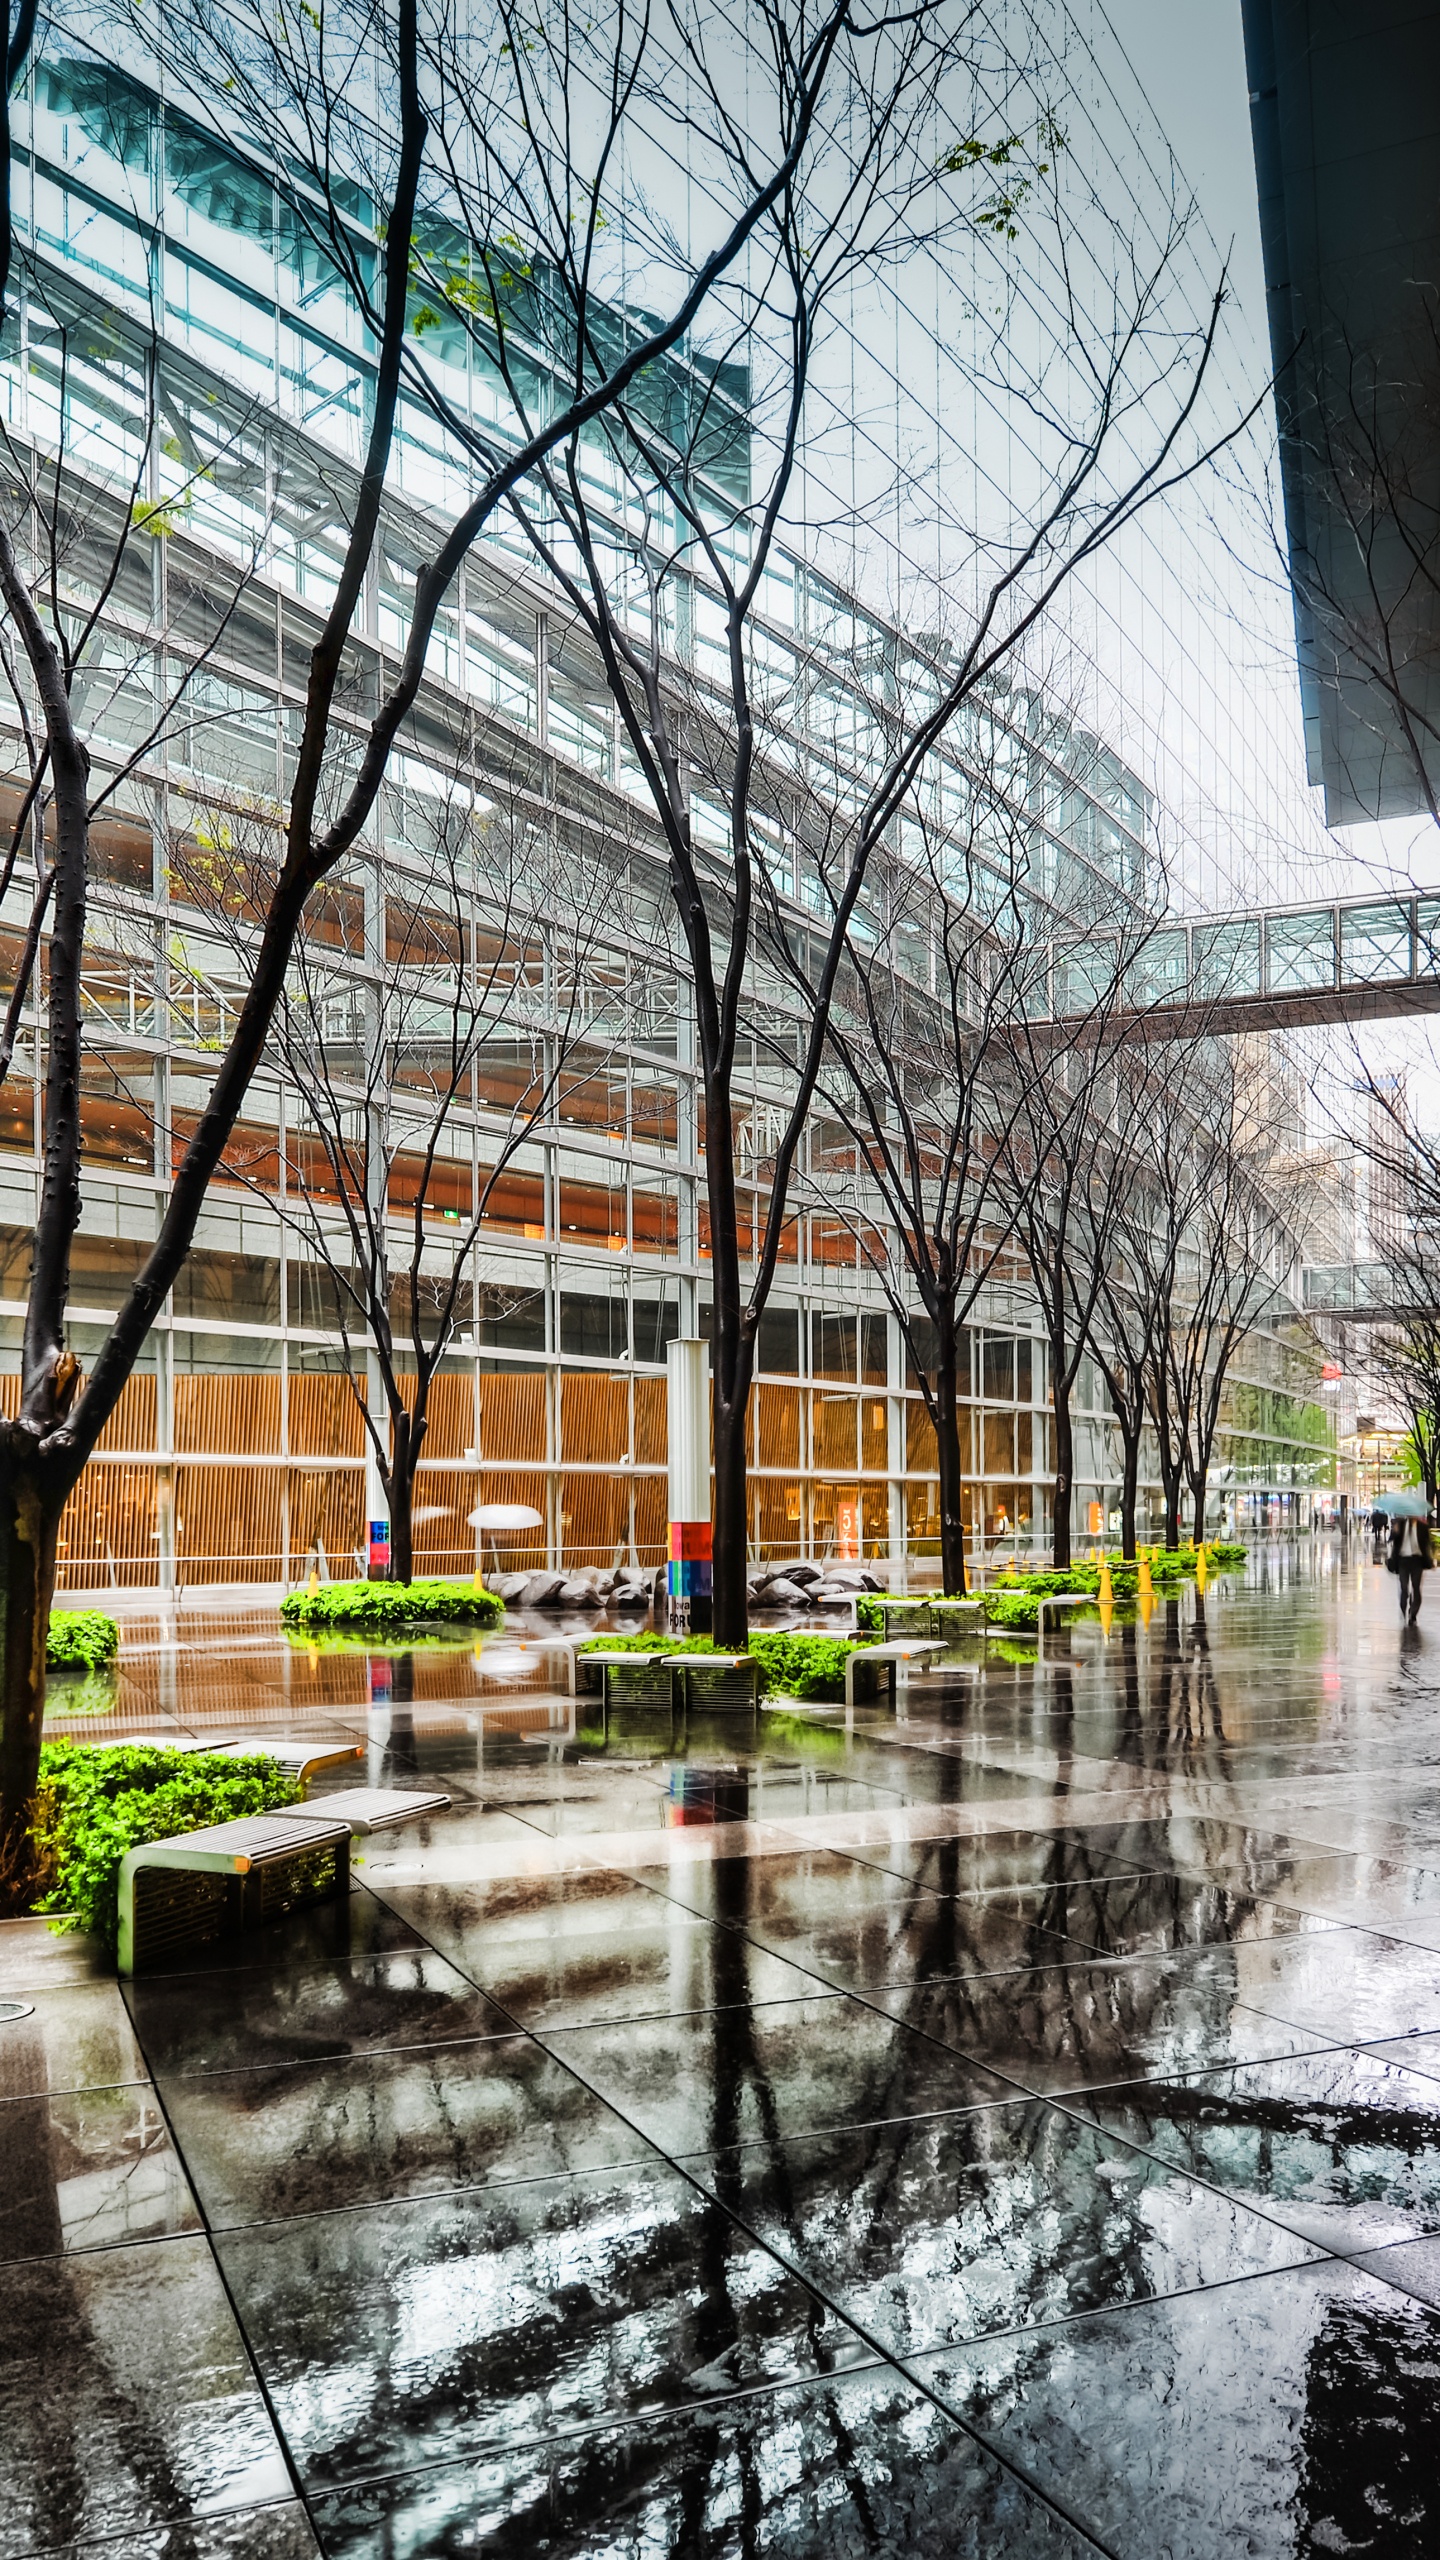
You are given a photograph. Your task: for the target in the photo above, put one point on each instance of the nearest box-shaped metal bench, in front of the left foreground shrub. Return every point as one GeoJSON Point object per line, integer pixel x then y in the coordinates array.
{"type": "Point", "coordinates": [211, 1883]}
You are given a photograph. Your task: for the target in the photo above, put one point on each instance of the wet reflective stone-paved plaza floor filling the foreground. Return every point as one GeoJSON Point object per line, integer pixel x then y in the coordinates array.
{"type": "Point", "coordinates": [1001, 2131]}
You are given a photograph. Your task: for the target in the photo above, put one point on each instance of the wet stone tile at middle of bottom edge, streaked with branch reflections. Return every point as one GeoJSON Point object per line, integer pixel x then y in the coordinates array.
{"type": "Point", "coordinates": [831, 2472]}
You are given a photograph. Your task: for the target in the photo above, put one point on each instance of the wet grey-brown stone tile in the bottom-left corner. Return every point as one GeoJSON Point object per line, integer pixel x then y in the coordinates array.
{"type": "Point", "coordinates": [127, 2397]}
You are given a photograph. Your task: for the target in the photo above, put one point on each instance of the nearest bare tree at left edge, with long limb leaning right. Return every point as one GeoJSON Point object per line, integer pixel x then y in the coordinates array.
{"type": "Point", "coordinates": [286, 76]}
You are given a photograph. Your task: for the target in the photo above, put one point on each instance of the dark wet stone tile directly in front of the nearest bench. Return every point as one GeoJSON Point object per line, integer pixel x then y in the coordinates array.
{"type": "Point", "coordinates": [240, 2021]}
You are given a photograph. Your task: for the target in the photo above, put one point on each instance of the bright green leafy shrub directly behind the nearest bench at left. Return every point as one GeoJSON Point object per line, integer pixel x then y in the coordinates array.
{"type": "Point", "coordinates": [99, 1804]}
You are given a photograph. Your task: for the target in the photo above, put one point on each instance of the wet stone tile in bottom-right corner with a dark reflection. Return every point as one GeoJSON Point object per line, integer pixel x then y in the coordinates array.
{"type": "Point", "coordinates": [1290, 2418]}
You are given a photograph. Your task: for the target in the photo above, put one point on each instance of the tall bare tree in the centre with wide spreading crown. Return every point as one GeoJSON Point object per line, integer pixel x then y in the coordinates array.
{"type": "Point", "coordinates": [665, 547]}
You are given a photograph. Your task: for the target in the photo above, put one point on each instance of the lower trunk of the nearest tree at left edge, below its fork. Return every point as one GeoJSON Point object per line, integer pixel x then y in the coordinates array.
{"type": "Point", "coordinates": [29, 1537]}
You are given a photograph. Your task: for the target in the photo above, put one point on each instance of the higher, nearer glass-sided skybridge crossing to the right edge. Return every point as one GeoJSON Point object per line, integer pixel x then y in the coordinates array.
{"type": "Point", "coordinates": [1270, 969]}
